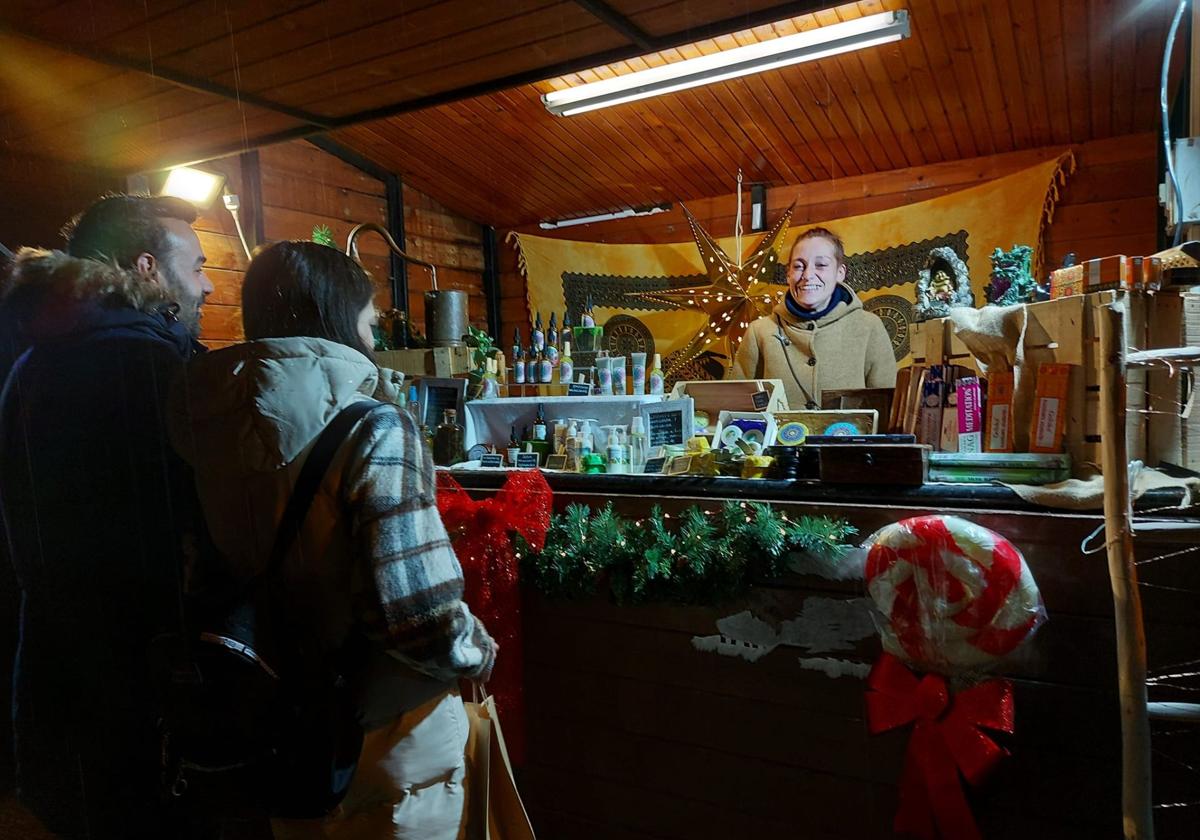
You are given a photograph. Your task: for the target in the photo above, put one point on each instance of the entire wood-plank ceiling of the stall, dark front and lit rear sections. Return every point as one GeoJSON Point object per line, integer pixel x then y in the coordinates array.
{"type": "Point", "coordinates": [134, 87]}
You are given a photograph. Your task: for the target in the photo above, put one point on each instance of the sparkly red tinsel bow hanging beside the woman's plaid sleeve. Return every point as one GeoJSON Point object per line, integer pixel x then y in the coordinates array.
{"type": "Point", "coordinates": [482, 533]}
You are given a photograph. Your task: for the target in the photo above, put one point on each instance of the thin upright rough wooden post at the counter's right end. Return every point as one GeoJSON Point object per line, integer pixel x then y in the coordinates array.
{"type": "Point", "coordinates": [1136, 781]}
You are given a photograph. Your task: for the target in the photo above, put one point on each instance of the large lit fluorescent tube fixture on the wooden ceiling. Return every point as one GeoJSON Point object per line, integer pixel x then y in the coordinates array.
{"type": "Point", "coordinates": [817, 44]}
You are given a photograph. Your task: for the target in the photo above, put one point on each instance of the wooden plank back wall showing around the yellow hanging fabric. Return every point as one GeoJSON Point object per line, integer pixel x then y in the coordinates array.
{"type": "Point", "coordinates": [1108, 207]}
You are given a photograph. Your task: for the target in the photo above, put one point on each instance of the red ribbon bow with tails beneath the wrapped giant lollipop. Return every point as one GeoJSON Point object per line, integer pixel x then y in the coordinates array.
{"type": "Point", "coordinates": [946, 740]}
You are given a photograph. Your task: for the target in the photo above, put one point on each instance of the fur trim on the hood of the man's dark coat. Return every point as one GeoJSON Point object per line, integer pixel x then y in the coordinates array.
{"type": "Point", "coordinates": [55, 275]}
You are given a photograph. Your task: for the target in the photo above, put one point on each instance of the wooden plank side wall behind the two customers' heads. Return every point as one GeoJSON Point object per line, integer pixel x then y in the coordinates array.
{"type": "Point", "coordinates": [304, 187]}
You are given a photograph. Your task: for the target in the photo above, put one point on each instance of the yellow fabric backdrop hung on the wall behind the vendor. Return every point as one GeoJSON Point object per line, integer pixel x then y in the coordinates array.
{"type": "Point", "coordinates": [1004, 213]}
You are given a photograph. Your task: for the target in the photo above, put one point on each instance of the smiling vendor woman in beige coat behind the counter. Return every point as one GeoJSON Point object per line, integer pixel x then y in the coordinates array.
{"type": "Point", "coordinates": [820, 338]}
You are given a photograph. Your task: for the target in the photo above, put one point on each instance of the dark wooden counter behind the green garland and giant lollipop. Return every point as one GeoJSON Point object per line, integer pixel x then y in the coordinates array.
{"type": "Point", "coordinates": [634, 734]}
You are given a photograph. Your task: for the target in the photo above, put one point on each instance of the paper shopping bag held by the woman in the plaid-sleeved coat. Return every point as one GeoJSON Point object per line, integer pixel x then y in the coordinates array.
{"type": "Point", "coordinates": [495, 811]}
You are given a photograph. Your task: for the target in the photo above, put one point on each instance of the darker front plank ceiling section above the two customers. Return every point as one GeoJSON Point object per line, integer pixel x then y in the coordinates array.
{"type": "Point", "coordinates": [140, 86]}
